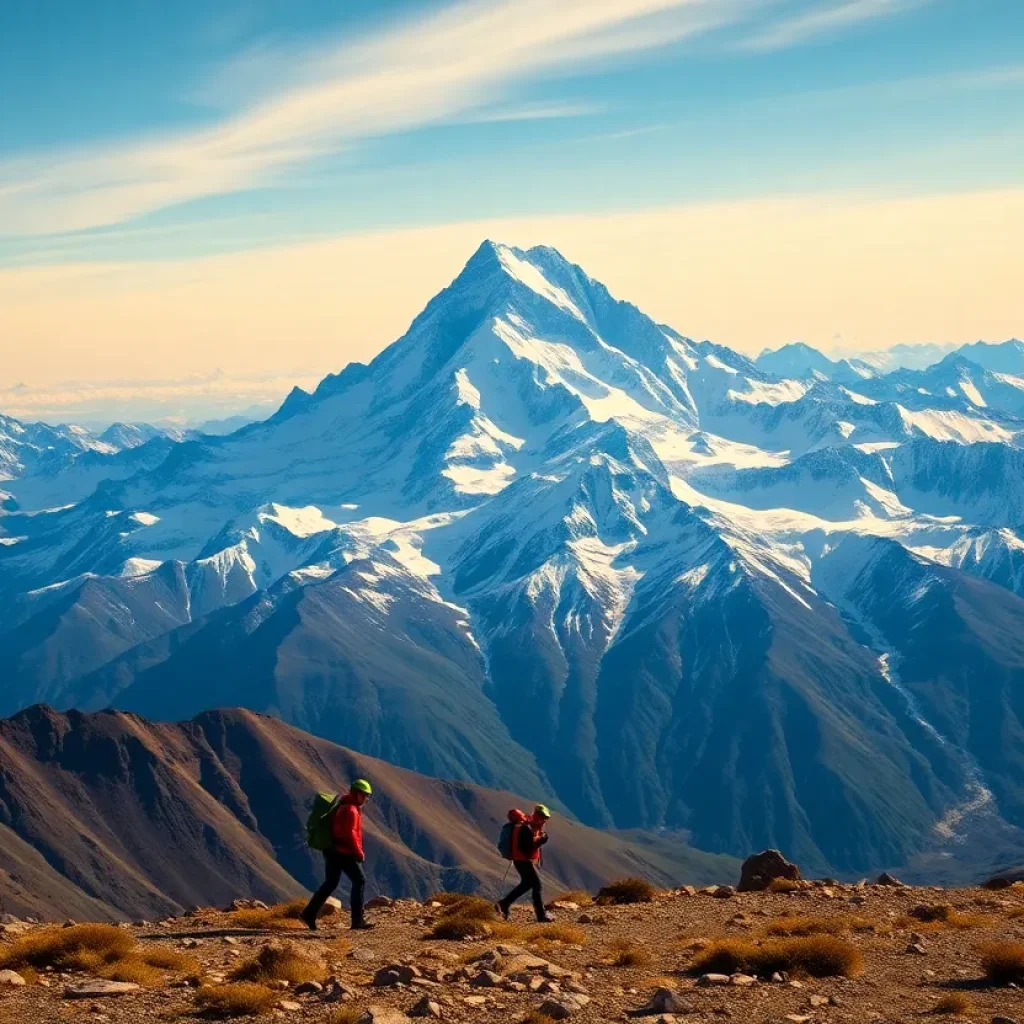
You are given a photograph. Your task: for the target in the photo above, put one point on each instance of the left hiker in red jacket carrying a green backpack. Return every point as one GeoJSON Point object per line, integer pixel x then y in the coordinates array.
{"type": "Point", "coordinates": [335, 828]}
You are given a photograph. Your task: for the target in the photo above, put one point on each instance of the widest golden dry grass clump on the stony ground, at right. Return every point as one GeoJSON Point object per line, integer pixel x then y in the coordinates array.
{"type": "Point", "coordinates": [819, 956]}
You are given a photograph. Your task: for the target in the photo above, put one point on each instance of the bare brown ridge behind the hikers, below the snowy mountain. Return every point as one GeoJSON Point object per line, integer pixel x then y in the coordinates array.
{"type": "Point", "coordinates": [108, 816]}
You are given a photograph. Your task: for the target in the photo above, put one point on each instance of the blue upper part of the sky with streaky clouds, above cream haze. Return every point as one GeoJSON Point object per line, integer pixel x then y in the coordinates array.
{"type": "Point", "coordinates": [696, 101]}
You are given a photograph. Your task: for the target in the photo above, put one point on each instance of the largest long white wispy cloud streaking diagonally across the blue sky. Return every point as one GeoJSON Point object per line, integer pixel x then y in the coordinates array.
{"type": "Point", "coordinates": [458, 62]}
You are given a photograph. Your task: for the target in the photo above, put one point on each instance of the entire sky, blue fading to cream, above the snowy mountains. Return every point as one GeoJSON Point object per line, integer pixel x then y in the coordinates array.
{"type": "Point", "coordinates": [748, 170]}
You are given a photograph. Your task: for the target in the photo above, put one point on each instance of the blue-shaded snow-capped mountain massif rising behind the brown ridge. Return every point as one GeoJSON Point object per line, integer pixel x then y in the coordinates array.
{"type": "Point", "coordinates": [543, 543]}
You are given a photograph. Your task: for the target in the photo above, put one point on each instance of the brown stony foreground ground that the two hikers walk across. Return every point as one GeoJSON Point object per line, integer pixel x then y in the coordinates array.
{"type": "Point", "coordinates": [595, 964]}
